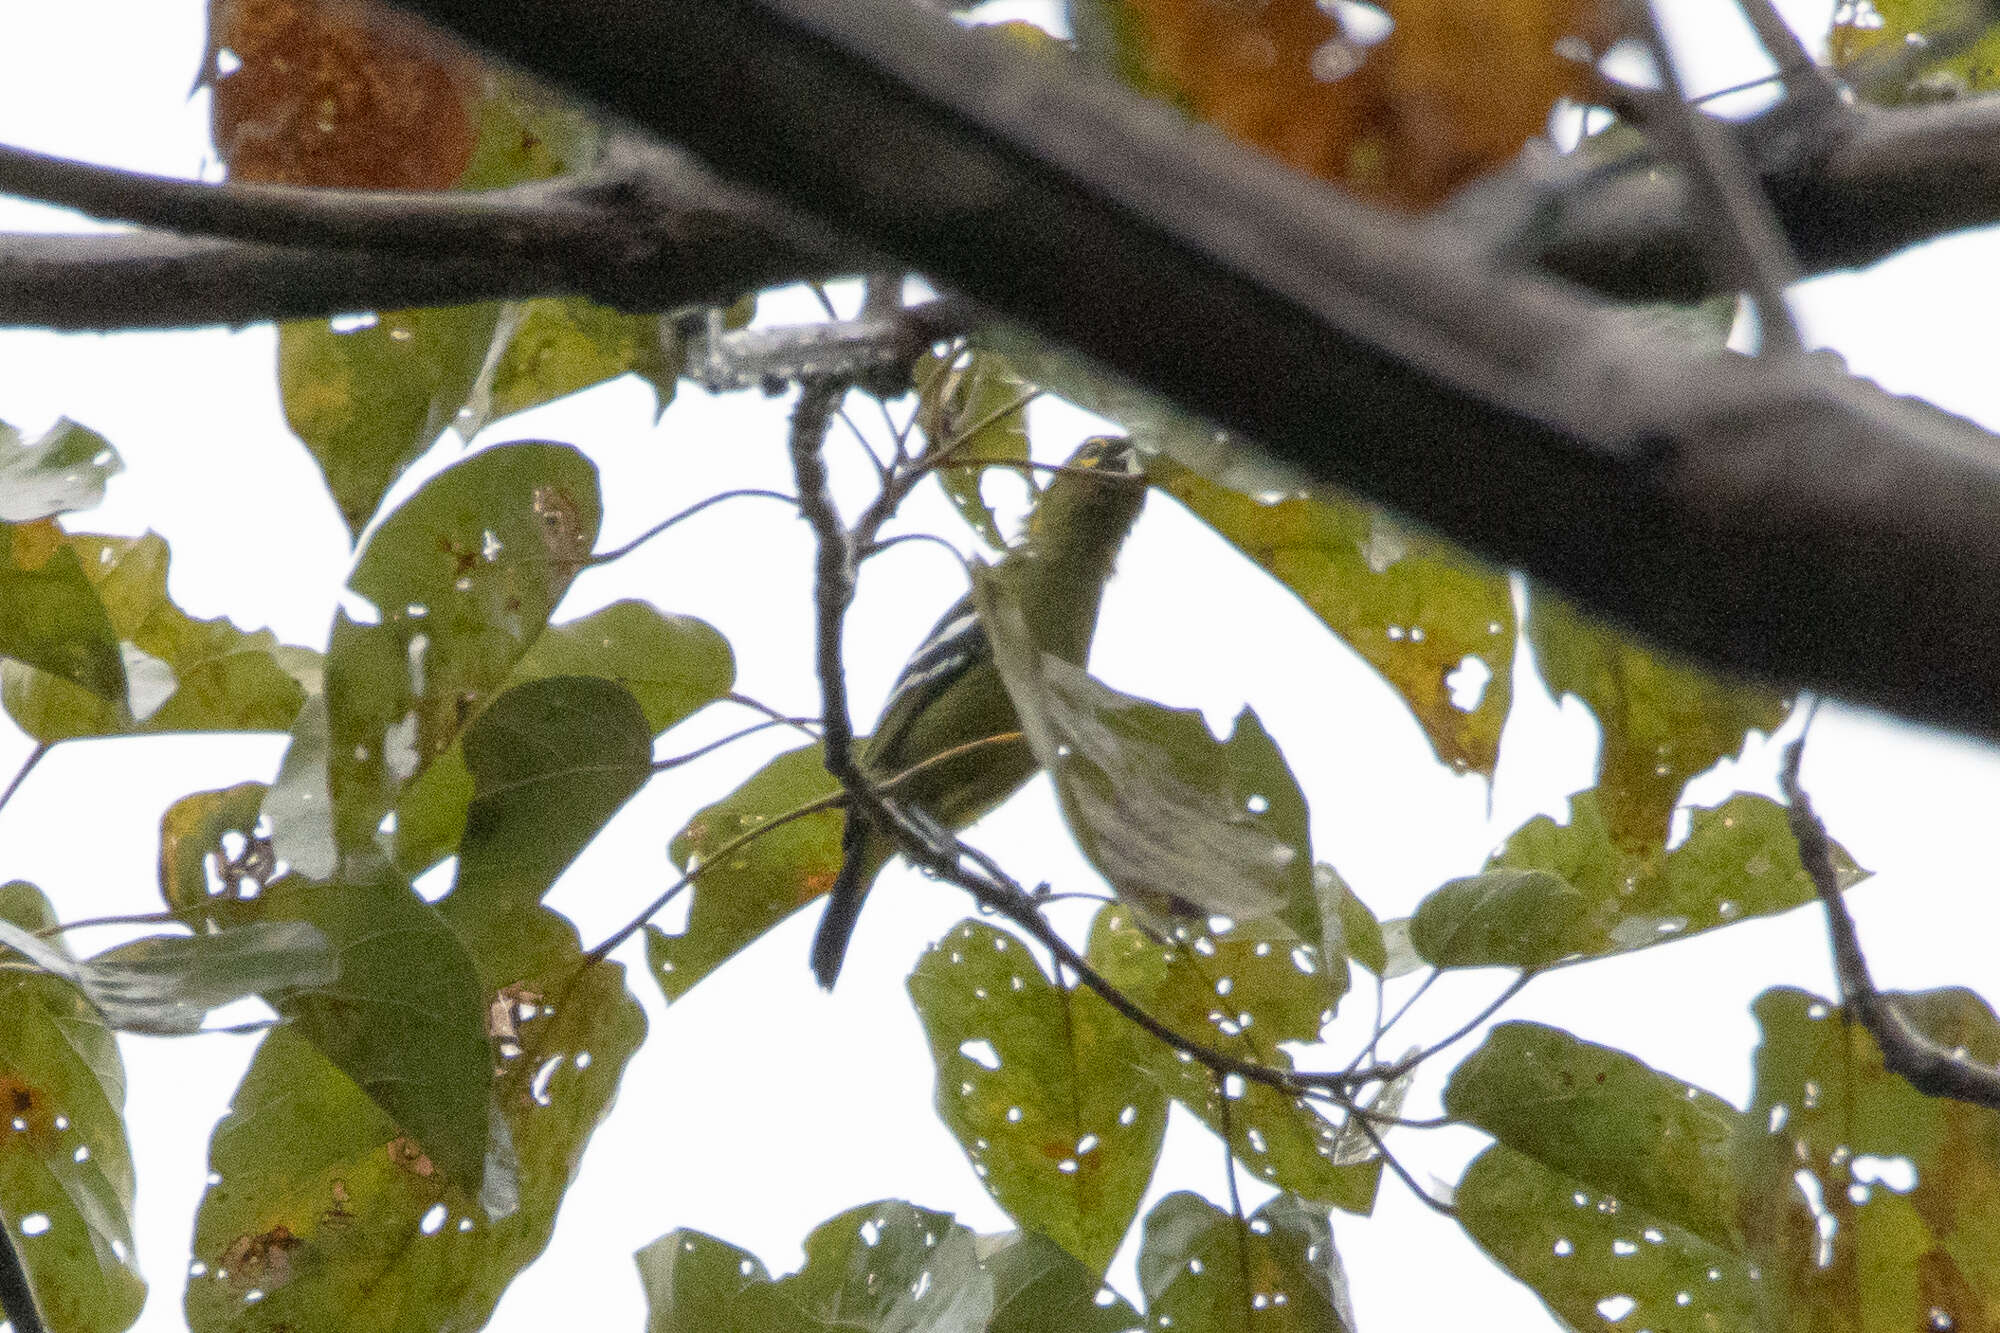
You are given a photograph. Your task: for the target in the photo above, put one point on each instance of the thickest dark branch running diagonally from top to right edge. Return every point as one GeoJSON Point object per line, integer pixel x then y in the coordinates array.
{"type": "Point", "coordinates": [1777, 519]}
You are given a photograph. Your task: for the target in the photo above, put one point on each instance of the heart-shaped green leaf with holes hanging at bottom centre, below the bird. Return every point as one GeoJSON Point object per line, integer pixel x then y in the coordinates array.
{"type": "Point", "coordinates": [1045, 1088]}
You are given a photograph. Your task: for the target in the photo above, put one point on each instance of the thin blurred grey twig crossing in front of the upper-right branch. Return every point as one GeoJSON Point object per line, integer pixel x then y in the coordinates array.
{"type": "Point", "coordinates": [1749, 241]}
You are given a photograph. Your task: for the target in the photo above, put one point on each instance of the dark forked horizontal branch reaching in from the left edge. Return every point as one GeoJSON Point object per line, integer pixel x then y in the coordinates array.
{"type": "Point", "coordinates": [649, 233]}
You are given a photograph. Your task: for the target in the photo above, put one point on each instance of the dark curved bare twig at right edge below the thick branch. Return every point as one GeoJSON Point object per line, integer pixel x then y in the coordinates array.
{"type": "Point", "coordinates": [1931, 1068]}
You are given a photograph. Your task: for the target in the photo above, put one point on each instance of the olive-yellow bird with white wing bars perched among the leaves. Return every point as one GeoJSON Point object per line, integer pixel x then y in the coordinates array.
{"type": "Point", "coordinates": [951, 692]}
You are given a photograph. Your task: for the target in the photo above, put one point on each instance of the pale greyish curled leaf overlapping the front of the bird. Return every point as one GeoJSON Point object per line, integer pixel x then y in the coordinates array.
{"type": "Point", "coordinates": [1155, 802]}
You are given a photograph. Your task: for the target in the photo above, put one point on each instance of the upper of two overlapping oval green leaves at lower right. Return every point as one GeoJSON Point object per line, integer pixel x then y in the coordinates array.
{"type": "Point", "coordinates": [1605, 1120]}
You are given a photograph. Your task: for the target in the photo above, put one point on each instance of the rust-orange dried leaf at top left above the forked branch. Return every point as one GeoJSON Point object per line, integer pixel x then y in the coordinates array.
{"type": "Point", "coordinates": [333, 93]}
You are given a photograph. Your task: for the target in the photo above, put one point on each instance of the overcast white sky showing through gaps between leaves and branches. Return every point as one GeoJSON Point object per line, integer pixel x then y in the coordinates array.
{"type": "Point", "coordinates": [759, 1106]}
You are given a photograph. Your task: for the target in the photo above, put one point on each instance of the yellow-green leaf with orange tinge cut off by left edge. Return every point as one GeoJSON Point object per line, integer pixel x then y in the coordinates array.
{"type": "Point", "coordinates": [51, 617]}
